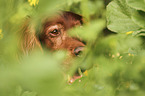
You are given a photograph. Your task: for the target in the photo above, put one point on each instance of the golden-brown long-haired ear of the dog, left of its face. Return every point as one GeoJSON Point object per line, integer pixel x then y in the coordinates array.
{"type": "Point", "coordinates": [28, 41]}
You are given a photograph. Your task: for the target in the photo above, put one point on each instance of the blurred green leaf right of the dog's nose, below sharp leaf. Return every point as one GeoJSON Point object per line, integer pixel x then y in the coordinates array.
{"type": "Point", "coordinates": [114, 44]}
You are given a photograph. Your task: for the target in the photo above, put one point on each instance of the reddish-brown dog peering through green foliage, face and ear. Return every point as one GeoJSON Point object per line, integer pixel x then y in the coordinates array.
{"type": "Point", "coordinates": [53, 34]}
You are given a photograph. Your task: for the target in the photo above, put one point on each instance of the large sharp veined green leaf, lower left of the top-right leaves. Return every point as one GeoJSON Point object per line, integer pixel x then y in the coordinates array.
{"type": "Point", "coordinates": [119, 17]}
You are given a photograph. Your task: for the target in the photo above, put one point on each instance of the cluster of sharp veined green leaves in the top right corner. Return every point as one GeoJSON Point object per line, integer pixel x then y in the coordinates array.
{"type": "Point", "coordinates": [126, 15]}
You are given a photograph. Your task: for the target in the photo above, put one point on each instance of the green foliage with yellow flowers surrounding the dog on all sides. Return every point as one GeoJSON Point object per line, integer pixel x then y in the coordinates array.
{"type": "Point", "coordinates": [115, 64]}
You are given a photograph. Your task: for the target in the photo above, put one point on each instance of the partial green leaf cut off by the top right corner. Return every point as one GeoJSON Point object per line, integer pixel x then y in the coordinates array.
{"type": "Point", "coordinates": [137, 4]}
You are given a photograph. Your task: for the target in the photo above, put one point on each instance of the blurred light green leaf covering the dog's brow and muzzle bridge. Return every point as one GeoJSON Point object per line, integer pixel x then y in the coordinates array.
{"type": "Point", "coordinates": [90, 31]}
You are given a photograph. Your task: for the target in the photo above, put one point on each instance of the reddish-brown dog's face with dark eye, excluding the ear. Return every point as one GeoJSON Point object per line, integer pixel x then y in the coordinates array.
{"type": "Point", "coordinates": [54, 33]}
